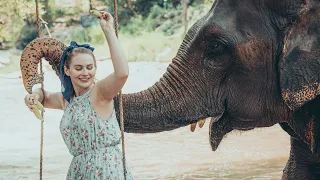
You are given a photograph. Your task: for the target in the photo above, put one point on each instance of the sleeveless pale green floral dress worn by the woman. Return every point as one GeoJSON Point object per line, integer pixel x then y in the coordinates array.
{"type": "Point", "coordinates": [92, 142]}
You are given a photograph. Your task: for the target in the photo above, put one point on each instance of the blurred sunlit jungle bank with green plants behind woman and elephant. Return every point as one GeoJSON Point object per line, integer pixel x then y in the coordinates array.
{"type": "Point", "coordinates": [150, 30]}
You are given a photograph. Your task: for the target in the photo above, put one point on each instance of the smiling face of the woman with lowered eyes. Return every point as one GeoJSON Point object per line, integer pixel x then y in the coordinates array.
{"type": "Point", "coordinates": [82, 71]}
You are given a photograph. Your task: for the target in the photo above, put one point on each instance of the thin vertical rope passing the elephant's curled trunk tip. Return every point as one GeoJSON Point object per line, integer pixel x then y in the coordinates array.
{"type": "Point", "coordinates": [42, 88]}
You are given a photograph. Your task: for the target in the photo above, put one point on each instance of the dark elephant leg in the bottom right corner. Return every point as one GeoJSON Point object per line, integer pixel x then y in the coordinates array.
{"type": "Point", "coordinates": [302, 164]}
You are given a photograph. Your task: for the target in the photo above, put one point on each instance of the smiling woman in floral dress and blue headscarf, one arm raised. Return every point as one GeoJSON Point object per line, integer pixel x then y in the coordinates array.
{"type": "Point", "coordinates": [89, 126]}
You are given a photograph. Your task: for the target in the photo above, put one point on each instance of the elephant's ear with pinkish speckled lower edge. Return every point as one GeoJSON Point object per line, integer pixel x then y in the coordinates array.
{"type": "Point", "coordinates": [299, 67]}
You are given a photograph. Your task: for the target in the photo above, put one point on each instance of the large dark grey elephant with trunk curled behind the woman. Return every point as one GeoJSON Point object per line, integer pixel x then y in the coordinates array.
{"type": "Point", "coordinates": [245, 64]}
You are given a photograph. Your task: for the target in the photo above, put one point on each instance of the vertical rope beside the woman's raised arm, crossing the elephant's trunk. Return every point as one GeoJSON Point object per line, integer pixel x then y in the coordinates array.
{"type": "Point", "coordinates": [120, 96]}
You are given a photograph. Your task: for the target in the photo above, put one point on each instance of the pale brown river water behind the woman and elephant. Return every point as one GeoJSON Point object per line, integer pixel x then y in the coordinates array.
{"type": "Point", "coordinates": [259, 154]}
